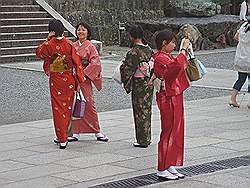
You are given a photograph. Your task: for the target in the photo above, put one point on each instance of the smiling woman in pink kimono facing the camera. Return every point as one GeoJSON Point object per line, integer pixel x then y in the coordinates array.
{"type": "Point", "coordinates": [92, 70]}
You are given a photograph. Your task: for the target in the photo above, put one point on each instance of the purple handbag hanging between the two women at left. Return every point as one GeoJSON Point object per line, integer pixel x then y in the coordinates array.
{"type": "Point", "coordinates": [79, 107]}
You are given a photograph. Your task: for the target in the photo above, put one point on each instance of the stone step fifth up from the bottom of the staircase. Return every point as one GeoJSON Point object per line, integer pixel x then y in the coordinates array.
{"type": "Point", "coordinates": [23, 28]}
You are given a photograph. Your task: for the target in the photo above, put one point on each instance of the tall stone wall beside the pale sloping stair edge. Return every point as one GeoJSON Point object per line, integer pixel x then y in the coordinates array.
{"type": "Point", "coordinates": [104, 15]}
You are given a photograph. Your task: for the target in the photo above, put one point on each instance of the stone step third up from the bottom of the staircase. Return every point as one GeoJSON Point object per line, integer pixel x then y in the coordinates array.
{"type": "Point", "coordinates": [16, 43]}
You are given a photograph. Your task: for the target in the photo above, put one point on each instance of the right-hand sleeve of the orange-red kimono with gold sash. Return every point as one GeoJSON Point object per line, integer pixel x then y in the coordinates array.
{"type": "Point", "coordinates": [78, 66]}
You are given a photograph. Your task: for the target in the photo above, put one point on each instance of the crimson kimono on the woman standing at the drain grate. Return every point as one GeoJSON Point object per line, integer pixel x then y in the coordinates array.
{"type": "Point", "coordinates": [170, 103]}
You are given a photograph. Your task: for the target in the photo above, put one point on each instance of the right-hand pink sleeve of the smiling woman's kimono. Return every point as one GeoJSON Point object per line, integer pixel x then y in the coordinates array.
{"type": "Point", "coordinates": [94, 68]}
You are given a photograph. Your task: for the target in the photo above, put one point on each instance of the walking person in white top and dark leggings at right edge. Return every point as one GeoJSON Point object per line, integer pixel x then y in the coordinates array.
{"type": "Point", "coordinates": [242, 62]}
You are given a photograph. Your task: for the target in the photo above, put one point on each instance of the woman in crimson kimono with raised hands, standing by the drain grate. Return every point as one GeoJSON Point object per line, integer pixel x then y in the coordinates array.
{"type": "Point", "coordinates": [171, 70]}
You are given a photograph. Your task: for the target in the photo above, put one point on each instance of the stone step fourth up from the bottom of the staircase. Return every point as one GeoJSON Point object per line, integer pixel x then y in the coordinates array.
{"type": "Point", "coordinates": [24, 35]}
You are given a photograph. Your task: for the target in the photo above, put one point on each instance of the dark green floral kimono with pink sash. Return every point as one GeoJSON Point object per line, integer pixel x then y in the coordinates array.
{"type": "Point", "coordinates": [142, 94]}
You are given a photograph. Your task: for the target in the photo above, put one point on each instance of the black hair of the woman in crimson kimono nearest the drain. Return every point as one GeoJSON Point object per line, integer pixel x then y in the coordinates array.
{"type": "Point", "coordinates": [164, 35]}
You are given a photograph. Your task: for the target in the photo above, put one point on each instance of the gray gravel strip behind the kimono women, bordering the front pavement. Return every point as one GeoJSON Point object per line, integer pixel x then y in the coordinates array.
{"type": "Point", "coordinates": [24, 96]}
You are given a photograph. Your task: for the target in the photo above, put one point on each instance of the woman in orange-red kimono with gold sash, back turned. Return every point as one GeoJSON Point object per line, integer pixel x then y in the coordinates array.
{"type": "Point", "coordinates": [62, 65]}
